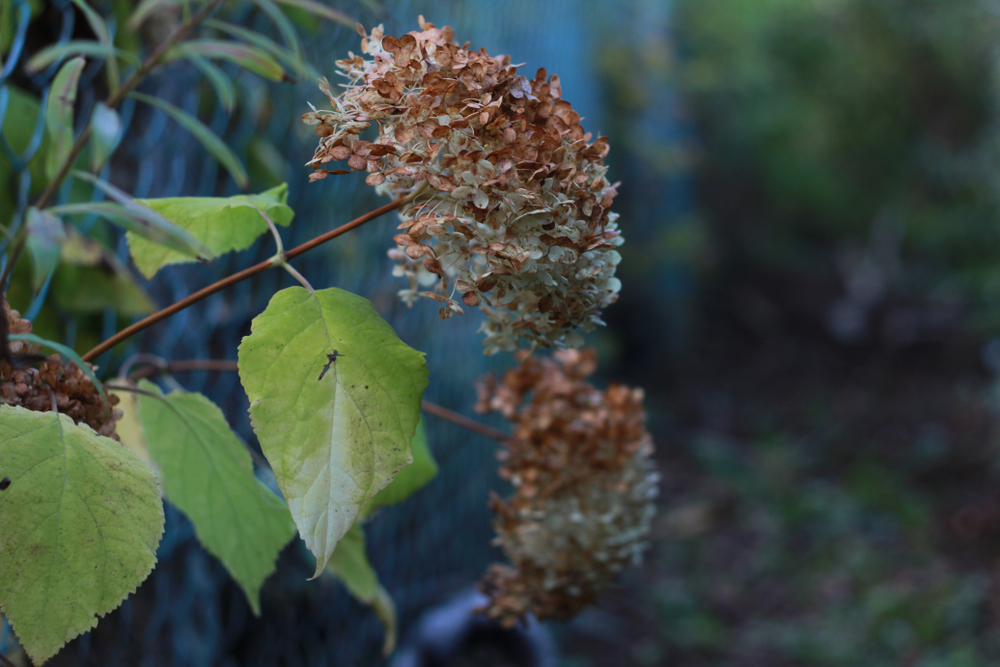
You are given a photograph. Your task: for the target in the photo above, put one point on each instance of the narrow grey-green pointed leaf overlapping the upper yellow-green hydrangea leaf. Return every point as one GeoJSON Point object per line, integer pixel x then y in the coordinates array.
{"type": "Point", "coordinates": [138, 218]}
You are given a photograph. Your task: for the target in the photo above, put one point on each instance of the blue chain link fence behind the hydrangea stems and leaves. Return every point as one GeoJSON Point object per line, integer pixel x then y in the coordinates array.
{"type": "Point", "coordinates": [189, 612]}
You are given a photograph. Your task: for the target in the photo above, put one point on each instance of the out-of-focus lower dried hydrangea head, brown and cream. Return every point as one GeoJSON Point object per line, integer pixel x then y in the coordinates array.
{"type": "Point", "coordinates": [584, 486]}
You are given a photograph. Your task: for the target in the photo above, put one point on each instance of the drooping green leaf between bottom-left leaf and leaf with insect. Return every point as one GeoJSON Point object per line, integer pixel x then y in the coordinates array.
{"type": "Point", "coordinates": [207, 472]}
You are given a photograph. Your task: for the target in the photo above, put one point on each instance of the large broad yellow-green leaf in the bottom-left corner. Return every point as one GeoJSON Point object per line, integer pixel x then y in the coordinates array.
{"type": "Point", "coordinates": [79, 526]}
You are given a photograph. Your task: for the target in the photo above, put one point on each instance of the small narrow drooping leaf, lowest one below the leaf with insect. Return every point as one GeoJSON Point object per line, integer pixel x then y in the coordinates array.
{"type": "Point", "coordinates": [350, 564]}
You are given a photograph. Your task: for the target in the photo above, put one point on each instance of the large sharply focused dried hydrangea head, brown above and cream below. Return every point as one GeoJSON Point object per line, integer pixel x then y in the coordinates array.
{"type": "Point", "coordinates": [514, 215]}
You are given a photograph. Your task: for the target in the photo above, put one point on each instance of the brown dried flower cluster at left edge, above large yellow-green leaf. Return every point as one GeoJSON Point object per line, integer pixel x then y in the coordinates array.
{"type": "Point", "coordinates": [34, 388]}
